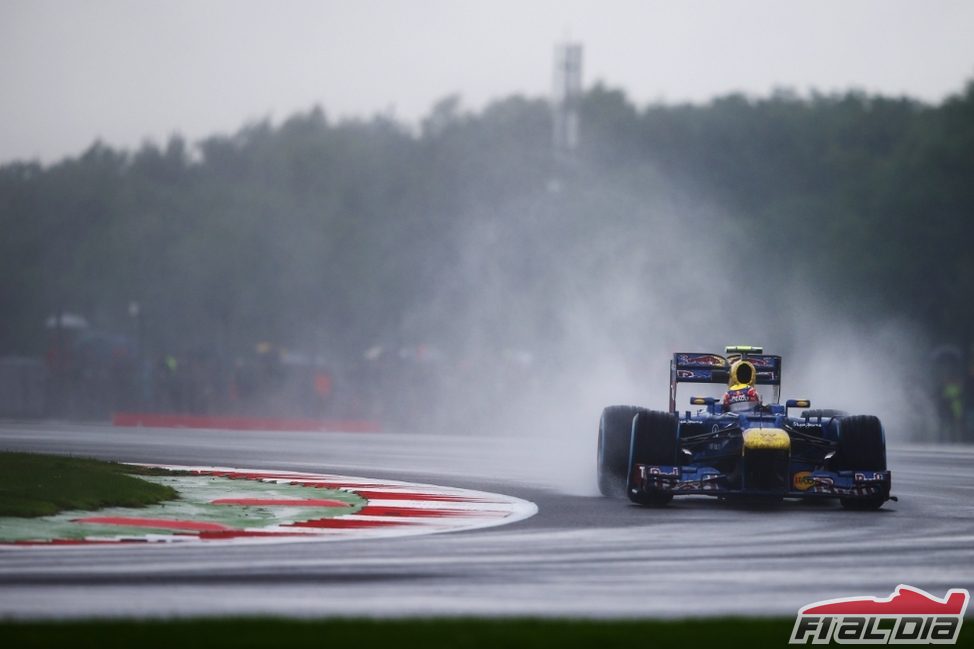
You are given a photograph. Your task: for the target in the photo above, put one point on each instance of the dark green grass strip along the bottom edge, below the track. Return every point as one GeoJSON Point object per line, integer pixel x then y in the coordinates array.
{"type": "Point", "coordinates": [425, 634]}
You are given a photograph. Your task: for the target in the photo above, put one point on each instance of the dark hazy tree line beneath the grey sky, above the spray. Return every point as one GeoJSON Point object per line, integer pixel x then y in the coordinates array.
{"type": "Point", "coordinates": [341, 237]}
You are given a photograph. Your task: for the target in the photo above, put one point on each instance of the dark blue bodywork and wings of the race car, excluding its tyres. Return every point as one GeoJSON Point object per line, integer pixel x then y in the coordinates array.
{"type": "Point", "coordinates": [761, 453]}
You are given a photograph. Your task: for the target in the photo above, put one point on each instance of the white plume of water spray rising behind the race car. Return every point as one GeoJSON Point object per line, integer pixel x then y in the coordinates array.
{"type": "Point", "coordinates": [576, 296]}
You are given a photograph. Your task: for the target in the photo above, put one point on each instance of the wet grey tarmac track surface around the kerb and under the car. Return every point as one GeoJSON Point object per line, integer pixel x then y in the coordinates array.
{"type": "Point", "coordinates": [580, 555]}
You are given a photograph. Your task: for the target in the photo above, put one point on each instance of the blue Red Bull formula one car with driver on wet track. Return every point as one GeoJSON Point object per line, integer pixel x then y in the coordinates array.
{"type": "Point", "coordinates": [739, 446]}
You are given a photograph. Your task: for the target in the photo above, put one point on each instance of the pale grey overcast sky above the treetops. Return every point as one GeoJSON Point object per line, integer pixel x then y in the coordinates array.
{"type": "Point", "coordinates": [127, 70]}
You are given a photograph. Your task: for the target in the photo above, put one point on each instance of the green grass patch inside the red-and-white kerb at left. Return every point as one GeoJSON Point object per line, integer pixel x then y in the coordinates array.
{"type": "Point", "coordinates": [34, 485]}
